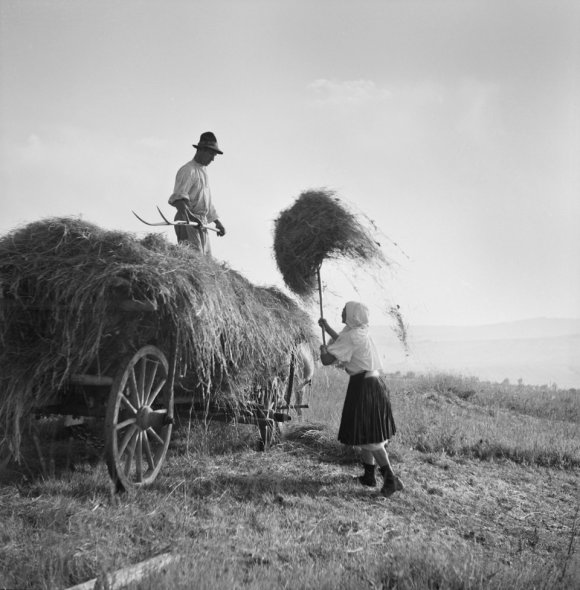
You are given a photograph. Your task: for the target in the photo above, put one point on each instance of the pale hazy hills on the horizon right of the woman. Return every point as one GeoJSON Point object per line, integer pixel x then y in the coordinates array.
{"type": "Point", "coordinates": [539, 351]}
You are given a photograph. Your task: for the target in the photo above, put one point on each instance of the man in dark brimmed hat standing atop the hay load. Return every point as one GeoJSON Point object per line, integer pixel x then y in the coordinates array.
{"type": "Point", "coordinates": [192, 196]}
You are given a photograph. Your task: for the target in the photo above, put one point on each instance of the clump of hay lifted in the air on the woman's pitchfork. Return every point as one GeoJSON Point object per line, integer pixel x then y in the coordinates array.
{"type": "Point", "coordinates": [315, 228]}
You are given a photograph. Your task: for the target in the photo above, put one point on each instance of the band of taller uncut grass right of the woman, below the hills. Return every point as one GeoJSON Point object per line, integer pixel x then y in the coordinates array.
{"type": "Point", "coordinates": [461, 416]}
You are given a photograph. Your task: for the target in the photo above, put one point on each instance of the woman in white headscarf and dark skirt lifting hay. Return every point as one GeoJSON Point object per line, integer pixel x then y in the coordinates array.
{"type": "Point", "coordinates": [367, 420]}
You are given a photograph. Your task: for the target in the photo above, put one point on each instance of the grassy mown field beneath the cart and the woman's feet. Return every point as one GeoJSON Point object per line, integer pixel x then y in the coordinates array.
{"type": "Point", "coordinates": [491, 500]}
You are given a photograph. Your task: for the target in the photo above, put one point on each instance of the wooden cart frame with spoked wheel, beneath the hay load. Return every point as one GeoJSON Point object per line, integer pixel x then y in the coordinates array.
{"type": "Point", "coordinates": [136, 391]}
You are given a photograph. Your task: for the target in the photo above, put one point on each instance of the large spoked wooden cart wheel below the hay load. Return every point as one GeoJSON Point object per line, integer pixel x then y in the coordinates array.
{"type": "Point", "coordinates": [139, 419]}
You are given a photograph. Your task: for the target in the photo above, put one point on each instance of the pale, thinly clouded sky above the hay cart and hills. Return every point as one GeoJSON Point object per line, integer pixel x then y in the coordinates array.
{"type": "Point", "coordinates": [454, 125]}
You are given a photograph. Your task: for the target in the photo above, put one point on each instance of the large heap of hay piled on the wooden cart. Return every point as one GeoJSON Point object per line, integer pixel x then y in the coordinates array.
{"type": "Point", "coordinates": [65, 280]}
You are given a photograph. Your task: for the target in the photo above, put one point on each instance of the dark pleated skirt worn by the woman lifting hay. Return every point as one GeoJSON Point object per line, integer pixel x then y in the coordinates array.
{"type": "Point", "coordinates": [366, 416]}
